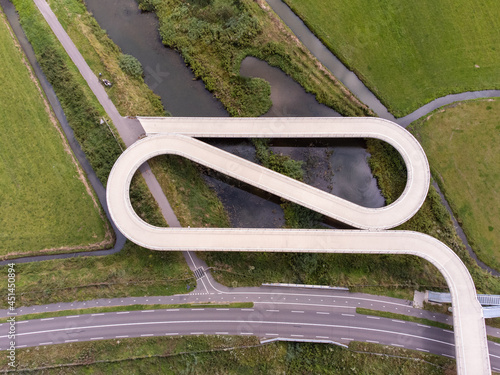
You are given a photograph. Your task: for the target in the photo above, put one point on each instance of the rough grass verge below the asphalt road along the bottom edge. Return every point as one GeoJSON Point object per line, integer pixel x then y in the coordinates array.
{"type": "Point", "coordinates": [225, 355]}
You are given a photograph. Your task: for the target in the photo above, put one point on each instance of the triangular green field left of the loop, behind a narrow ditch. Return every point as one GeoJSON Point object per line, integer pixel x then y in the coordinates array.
{"type": "Point", "coordinates": [44, 202]}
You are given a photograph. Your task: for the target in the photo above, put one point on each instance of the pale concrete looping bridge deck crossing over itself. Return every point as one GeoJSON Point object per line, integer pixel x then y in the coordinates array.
{"type": "Point", "coordinates": [173, 136]}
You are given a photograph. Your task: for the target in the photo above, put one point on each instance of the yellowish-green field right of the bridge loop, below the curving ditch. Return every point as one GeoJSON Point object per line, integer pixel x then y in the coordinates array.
{"type": "Point", "coordinates": [461, 143]}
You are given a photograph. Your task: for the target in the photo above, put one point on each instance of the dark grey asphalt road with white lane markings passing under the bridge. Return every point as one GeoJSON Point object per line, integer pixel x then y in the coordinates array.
{"type": "Point", "coordinates": [267, 321]}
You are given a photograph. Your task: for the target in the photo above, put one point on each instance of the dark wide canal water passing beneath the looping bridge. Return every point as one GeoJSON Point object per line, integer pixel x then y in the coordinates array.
{"type": "Point", "coordinates": [339, 167]}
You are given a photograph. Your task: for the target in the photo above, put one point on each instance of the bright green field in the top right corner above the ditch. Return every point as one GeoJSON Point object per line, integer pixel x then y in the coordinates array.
{"type": "Point", "coordinates": [409, 53]}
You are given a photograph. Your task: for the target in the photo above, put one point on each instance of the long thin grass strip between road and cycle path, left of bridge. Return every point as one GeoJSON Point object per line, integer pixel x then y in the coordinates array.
{"type": "Point", "coordinates": [93, 310]}
